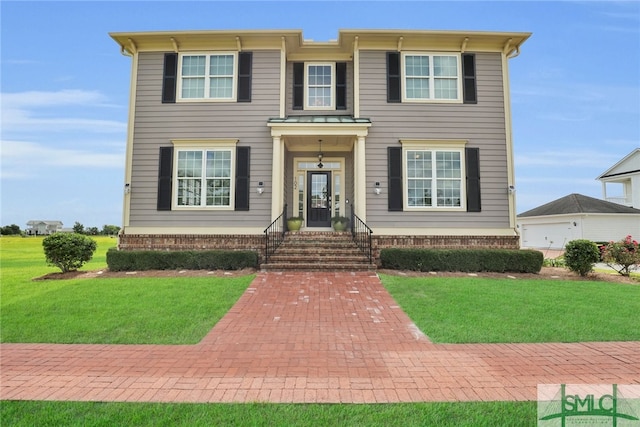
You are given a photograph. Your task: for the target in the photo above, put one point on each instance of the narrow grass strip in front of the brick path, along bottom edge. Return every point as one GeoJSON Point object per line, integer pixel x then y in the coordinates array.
{"type": "Point", "coordinates": [30, 413]}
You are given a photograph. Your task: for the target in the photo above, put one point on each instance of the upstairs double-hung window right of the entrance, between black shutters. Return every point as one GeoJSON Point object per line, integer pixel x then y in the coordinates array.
{"type": "Point", "coordinates": [431, 77]}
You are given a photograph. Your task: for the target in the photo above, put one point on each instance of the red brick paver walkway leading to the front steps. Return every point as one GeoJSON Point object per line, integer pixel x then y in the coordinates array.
{"type": "Point", "coordinates": [310, 337]}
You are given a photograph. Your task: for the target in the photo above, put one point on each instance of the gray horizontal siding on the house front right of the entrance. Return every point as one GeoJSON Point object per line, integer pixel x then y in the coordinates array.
{"type": "Point", "coordinates": [483, 124]}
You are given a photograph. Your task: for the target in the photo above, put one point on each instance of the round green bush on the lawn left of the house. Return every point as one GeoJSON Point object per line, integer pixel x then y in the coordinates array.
{"type": "Point", "coordinates": [68, 251]}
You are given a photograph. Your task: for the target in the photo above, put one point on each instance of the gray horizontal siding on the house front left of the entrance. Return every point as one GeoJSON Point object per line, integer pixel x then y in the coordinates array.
{"type": "Point", "coordinates": [156, 124]}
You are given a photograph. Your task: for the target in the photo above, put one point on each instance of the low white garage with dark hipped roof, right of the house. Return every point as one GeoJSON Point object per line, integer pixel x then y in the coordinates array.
{"type": "Point", "coordinates": [575, 216]}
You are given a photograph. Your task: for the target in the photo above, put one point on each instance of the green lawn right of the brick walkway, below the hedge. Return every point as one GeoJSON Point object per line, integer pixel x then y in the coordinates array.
{"type": "Point", "coordinates": [480, 310]}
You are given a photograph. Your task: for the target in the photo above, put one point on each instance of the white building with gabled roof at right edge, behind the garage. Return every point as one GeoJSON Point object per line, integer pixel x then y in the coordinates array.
{"type": "Point", "coordinates": [623, 180]}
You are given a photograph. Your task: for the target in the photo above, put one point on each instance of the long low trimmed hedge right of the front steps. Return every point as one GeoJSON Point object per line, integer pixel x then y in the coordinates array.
{"type": "Point", "coordinates": [465, 260]}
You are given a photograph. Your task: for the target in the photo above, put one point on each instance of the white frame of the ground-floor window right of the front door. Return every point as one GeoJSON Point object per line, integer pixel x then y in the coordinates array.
{"type": "Point", "coordinates": [433, 147]}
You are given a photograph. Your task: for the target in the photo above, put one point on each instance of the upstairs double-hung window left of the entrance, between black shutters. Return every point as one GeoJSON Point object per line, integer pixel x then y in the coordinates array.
{"type": "Point", "coordinates": [208, 76]}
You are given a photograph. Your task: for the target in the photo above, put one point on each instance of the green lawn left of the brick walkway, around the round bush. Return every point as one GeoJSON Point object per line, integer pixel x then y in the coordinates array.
{"type": "Point", "coordinates": [107, 311]}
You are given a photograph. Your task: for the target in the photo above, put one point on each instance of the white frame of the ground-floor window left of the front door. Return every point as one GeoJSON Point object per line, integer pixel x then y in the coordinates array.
{"type": "Point", "coordinates": [204, 146]}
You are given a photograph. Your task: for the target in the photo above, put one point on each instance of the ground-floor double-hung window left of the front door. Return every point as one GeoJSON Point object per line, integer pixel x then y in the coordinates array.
{"type": "Point", "coordinates": [203, 178]}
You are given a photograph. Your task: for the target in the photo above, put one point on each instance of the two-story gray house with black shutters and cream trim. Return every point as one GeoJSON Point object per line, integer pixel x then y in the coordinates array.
{"type": "Point", "coordinates": [409, 130]}
